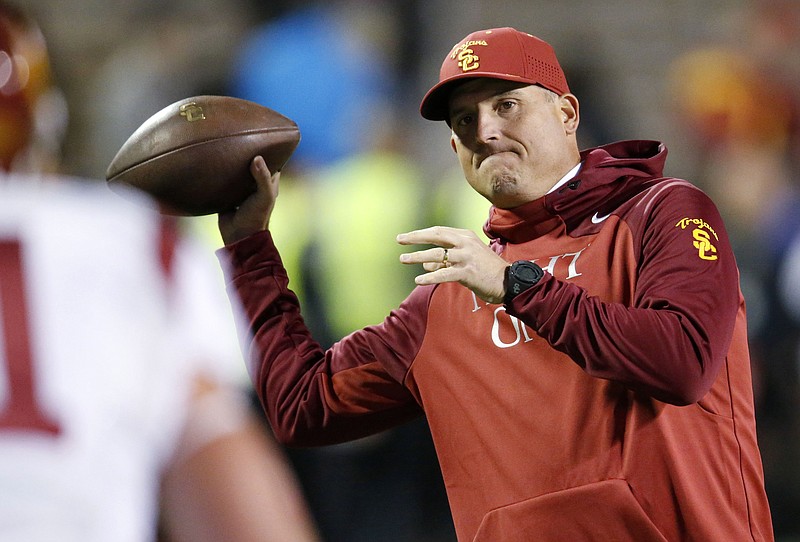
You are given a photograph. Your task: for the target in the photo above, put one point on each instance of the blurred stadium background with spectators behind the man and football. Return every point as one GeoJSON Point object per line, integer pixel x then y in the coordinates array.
{"type": "Point", "coordinates": [718, 81]}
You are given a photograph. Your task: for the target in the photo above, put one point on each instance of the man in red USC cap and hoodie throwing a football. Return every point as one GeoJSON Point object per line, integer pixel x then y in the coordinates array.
{"type": "Point", "coordinates": [585, 377]}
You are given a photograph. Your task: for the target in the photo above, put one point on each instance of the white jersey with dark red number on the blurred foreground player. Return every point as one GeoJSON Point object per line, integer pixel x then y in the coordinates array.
{"type": "Point", "coordinates": [101, 328]}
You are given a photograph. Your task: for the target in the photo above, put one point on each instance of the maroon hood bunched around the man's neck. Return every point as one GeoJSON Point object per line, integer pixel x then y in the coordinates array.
{"type": "Point", "coordinates": [609, 175]}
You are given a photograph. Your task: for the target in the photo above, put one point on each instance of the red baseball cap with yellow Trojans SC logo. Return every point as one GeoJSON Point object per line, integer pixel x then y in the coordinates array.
{"type": "Point", "coordinates": [497, 53]}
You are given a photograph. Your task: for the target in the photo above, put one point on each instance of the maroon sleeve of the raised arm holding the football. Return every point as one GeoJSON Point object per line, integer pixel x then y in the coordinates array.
{"type": "Point", "coordinates": [311, 396]}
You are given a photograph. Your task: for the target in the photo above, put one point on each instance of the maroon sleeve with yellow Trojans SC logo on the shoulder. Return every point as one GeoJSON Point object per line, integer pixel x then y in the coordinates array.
{"type": "Point", "coordinates": [671, 341]}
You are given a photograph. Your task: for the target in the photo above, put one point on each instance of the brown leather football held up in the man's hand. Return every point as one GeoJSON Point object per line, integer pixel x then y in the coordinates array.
{"type": "Point", "coordinates": [194, 156]}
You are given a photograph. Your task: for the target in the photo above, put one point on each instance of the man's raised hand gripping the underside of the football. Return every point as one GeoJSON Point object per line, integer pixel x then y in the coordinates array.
{"type": "Point", "coordinates": [253, 215]}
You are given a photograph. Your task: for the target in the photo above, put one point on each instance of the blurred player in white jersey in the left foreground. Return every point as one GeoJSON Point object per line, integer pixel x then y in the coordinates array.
{"type": "Point", "coordinates": [121, 412]}
